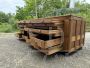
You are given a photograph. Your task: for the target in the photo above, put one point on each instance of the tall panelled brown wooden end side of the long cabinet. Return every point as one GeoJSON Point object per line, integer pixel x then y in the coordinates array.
{"type": "Point", "coordinates": [74, 34]}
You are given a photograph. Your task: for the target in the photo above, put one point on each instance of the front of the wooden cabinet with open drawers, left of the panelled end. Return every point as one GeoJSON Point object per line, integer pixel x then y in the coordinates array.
{"type": "Point", "coordinates": [46, 37]}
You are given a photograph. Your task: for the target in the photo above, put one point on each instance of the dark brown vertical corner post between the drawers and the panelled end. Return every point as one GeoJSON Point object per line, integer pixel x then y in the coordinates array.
{"type": "Point", "coordinates": [67, 29]}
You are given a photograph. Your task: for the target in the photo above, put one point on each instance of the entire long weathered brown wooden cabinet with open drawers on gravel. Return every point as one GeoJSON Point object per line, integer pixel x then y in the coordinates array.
{"type": "Point", "coordinates": [55, 34]}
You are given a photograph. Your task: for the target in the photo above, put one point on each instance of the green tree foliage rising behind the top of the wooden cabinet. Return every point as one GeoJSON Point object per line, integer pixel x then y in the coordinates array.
{"type": "Point", "coordinates": [45, 8]}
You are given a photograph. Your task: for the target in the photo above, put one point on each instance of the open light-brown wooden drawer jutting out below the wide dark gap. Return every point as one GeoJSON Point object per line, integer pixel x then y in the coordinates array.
{"type": "Point", "coordinates": [44, 43]}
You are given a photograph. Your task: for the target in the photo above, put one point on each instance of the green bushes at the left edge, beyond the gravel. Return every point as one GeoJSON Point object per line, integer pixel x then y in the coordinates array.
{"type": "Point", "coordinates": [7, 22]}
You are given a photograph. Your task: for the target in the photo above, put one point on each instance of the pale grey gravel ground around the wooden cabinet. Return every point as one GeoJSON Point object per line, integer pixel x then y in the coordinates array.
{"type": "Point", "coordinates": [17, 54]}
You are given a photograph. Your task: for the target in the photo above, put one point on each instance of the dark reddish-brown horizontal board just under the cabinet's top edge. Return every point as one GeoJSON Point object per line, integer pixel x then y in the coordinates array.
{"type": "Point", "coordinates": [45, 26]}
